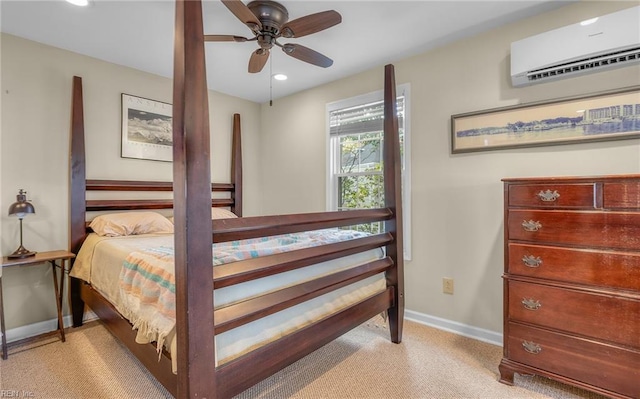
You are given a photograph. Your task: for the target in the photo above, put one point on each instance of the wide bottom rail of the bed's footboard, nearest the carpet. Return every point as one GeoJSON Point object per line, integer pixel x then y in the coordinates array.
{"type": "Point", "coordinates": [233, 377]}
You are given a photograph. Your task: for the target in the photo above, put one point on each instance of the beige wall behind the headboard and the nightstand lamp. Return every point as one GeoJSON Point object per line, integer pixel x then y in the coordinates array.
{"type": "Point", "coordinates": [36, 110]}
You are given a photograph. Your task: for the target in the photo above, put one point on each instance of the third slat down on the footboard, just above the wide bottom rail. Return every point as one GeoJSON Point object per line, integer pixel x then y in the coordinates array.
{"type": "Point", "coordinates": [247, 311]}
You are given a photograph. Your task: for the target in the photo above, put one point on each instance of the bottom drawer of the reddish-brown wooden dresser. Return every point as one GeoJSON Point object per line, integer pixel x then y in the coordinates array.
{"type": "Point", "coordinates": [605, 366]}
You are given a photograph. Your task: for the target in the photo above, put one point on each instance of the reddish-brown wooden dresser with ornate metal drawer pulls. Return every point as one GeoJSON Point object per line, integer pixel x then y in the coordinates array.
{"type": "Point", "coordinates": [572, 282]}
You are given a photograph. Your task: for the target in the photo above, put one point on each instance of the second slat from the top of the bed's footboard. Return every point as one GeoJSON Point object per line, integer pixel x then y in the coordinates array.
{"type": "Point", "coordinates": [251, 269]}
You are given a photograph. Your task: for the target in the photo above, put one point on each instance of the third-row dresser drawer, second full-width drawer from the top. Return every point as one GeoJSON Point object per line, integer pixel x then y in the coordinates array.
{"type": "Point", "coordinates": [619, 270]}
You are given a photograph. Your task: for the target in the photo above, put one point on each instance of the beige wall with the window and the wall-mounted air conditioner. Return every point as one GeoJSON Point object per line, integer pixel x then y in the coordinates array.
{"type": "Point", "coordinates": [457, 199]}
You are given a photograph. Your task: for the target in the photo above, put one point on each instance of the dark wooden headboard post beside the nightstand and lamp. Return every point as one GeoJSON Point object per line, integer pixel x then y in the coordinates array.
{"type": "Point", "coordinates": [77, 196]}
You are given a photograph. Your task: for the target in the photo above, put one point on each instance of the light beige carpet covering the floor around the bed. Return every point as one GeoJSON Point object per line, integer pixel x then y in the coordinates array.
{"type": "Point", "coordinates": [361, 364]}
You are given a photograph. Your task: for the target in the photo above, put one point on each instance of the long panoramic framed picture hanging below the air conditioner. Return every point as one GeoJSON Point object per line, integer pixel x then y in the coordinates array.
{"type": "Point", "coordinates": [611, 115]}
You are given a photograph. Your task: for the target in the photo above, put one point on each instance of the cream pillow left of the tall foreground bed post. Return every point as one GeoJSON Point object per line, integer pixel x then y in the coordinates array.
{"type": "Point", "coordinates": [130, 223]}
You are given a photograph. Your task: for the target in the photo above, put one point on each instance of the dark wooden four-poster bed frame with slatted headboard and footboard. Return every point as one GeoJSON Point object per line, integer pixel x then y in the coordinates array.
{"type": "Point", "coordinates": [197, 323]}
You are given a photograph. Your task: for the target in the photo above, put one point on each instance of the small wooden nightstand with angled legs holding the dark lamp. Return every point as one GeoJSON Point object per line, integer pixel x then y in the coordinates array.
{"type": "Point", "coordinates": [52, 257]}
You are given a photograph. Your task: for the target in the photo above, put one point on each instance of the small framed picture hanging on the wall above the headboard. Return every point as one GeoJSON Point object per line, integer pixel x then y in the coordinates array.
{"type": "Point", "coordinates": [146, 129]}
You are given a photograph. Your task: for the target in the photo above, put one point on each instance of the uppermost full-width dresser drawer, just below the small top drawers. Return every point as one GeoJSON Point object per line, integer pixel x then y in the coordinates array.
{"type": "Point", "coordinates": [581, 228]}
